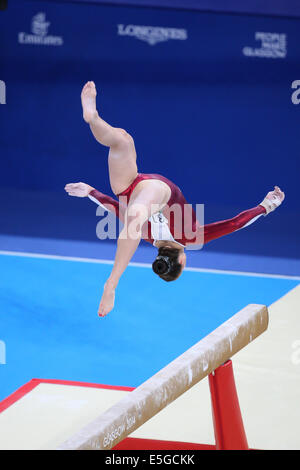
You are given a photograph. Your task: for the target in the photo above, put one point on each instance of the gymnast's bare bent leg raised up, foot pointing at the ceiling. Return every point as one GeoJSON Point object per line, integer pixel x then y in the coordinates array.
{"type": "Point", "coordinates": [122, 155]}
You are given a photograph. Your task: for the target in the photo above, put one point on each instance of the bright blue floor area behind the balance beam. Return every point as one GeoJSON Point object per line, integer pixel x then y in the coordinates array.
{"type": "Point", "coordinates": [50, 327]}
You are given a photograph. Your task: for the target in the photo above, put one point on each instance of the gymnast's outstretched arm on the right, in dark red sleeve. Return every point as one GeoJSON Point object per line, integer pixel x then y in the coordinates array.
{"type": "Point", "coordinates": [225, 227]}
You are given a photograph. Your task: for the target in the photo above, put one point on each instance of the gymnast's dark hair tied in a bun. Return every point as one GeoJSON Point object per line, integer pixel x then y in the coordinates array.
{"type": "Point", "coordinates": [166, 264]}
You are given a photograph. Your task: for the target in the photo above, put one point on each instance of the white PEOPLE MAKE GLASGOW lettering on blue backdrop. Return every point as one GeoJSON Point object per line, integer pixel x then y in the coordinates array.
{"type": "Point", "coordinates": [272, 46]}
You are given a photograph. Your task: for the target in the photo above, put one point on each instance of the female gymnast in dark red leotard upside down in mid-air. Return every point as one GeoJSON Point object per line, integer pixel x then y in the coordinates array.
{"type": "Point", "coordinates": [145, 207]}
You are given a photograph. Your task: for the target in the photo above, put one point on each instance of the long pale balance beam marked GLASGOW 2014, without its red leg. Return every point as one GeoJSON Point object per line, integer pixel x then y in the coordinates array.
{"type": "Point", "coordinates": [172, 381]}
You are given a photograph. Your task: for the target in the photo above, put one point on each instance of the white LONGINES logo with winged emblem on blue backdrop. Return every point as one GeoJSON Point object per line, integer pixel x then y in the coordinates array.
{"type": "Point", "coordinates": [152, 34]}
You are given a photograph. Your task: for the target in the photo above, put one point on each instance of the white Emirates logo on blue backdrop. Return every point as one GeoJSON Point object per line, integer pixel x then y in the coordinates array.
{"type": "Point", "coordinates": [39, 36]}
